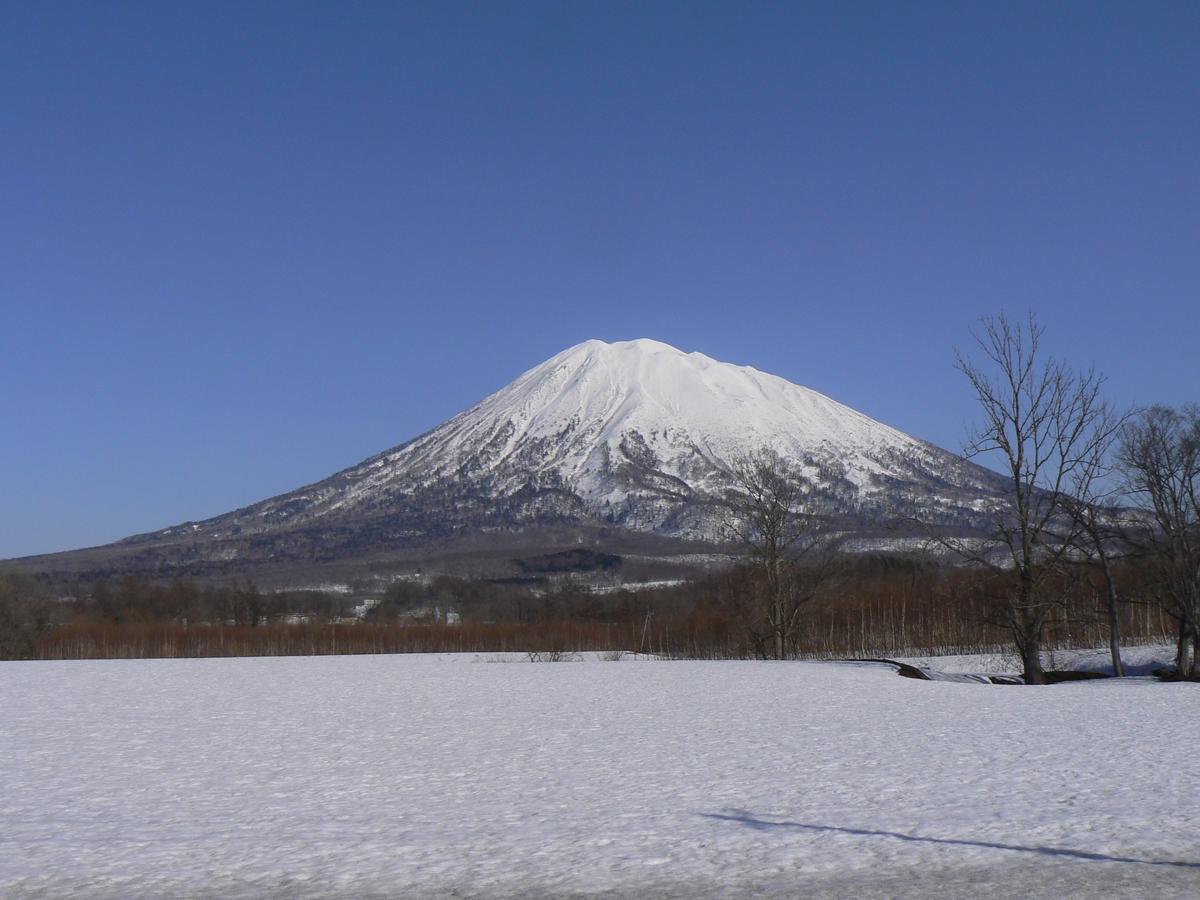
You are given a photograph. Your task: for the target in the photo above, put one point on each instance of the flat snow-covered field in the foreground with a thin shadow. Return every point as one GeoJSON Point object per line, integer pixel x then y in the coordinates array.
{"type": "Point", "coordinates": [454, 777]}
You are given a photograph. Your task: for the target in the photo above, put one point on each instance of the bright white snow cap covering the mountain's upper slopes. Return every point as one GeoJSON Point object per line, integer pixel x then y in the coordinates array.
{"type": "Point", "coordinates": [586, 400]}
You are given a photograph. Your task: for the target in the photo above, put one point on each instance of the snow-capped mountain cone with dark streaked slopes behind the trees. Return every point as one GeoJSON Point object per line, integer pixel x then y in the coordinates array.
{"type": "Point", "coordinates": [620, 439]}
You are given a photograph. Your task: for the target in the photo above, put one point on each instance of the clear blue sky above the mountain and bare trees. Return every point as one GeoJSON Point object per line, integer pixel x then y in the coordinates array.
{"type": "Point", "coordinates": [245, 245]}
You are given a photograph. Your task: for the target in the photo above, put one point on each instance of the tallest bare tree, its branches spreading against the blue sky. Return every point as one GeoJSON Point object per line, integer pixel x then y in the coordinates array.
{"type": "Point", "coordinates": [1045, 423]}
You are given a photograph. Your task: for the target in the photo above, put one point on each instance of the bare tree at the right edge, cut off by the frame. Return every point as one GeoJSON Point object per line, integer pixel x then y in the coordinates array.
{"type": "Point", "coordinates": [1160, 457]}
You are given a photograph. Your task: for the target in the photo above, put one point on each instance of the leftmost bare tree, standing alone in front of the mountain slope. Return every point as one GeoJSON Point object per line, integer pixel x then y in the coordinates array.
{"type": "Point", "coordinates": [788, 544]}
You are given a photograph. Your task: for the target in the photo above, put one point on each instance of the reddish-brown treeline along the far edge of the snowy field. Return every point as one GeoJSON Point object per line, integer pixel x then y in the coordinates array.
{"type": "Point", "coordinates": [869, 605]}
